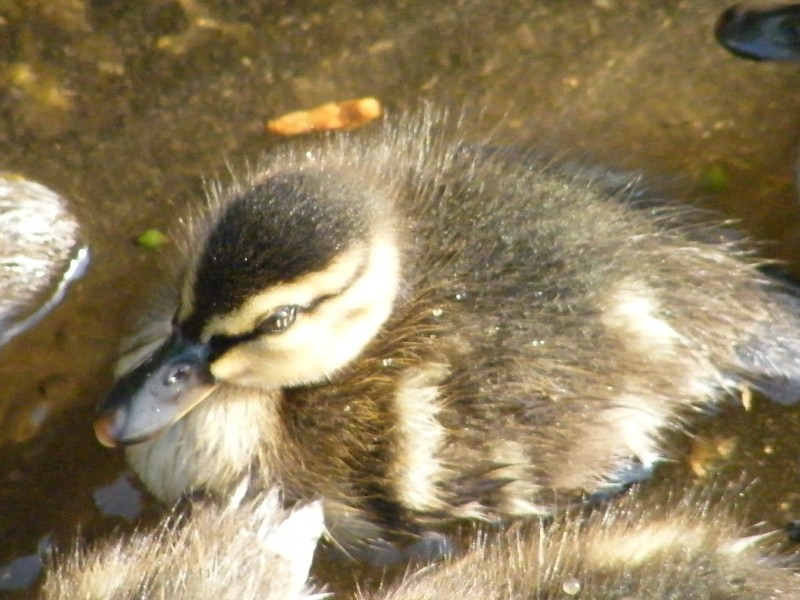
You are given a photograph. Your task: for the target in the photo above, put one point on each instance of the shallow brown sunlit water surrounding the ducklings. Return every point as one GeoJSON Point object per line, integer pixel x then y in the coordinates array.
{"type": "Point", "coordinates": [124, 106]}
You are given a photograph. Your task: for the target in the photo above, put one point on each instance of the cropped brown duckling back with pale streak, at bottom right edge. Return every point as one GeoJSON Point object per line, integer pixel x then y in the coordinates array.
{"type": "Point", "coordinates": [692, 550]}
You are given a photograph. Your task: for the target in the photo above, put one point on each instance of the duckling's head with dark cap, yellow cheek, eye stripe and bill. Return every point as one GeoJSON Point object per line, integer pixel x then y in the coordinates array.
{"type": "Point", "coordinates": [297, 273]}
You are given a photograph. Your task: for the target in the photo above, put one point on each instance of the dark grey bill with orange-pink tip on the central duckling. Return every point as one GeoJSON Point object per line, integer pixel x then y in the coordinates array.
{"type": "Point", "coordinates": [155, 394]}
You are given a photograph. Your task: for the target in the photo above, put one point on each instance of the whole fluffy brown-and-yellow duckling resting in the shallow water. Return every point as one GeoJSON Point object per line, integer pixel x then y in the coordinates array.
{"type": "Point", "coordinates": [417, 330]}
